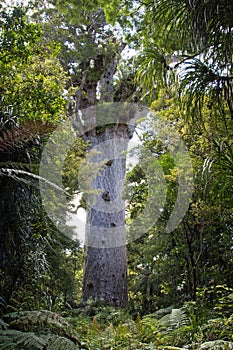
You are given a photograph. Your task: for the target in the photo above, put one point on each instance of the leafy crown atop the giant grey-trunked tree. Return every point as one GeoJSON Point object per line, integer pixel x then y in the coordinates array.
{"type": "Point", "coordinates": [88, 46]}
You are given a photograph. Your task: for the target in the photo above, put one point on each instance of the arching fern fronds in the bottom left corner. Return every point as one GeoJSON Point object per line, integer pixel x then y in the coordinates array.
{"type": "Point", "coordinates": [37, 330]}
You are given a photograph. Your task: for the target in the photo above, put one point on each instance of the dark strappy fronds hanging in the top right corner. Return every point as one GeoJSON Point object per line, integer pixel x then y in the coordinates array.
{"type": "Point", "coordinates": [200, 22]}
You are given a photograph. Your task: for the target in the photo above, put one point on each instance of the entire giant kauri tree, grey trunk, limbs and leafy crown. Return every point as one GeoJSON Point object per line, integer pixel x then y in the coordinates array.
{"type": "Point", "coordinates": [90, 53]}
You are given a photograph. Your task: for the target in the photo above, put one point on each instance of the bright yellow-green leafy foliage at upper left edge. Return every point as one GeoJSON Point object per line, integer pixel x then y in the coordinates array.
{"type": "Point", "coordinates": [32, 80]}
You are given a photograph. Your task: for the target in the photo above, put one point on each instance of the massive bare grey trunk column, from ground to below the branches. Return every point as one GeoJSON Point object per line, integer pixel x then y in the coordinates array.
{"type": "Point", "coordinates": [105, 273]}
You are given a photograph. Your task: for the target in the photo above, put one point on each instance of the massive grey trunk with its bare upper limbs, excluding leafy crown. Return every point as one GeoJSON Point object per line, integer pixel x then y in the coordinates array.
{"type": "Point", "coordinates": [105, 270]}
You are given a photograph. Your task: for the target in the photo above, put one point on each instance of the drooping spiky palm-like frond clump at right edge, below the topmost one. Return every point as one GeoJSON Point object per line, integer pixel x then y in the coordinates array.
{"type": "Point", "coordinates": [202, 81]}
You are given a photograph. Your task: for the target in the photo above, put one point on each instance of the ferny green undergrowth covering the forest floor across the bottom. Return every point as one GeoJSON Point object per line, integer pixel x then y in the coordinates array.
{"type": "Point", "coordinates": [99, 327]}
